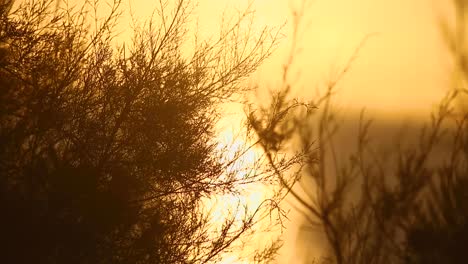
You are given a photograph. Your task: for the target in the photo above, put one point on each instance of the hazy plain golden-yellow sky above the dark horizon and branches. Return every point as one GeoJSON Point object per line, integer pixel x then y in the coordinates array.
{"type": "Point", "coordinates": [402, 68]}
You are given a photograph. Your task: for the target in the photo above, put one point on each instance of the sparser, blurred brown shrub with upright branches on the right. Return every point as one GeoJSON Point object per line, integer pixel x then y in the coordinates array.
{"type": "Point", "coordinates": [406, 205]}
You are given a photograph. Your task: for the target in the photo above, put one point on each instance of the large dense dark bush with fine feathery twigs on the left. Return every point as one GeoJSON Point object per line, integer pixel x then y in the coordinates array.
{"type": "Point", "coordinates": [107, 154]}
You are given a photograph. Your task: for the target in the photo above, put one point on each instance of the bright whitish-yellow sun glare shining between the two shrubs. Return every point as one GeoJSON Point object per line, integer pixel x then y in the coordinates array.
{"type": "Point", "coordinates": [241, 205]}
